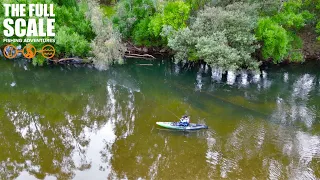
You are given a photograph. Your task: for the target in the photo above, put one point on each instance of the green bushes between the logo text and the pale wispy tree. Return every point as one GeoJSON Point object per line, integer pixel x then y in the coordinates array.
{"type": "Point", "coordinates": [73, 31]}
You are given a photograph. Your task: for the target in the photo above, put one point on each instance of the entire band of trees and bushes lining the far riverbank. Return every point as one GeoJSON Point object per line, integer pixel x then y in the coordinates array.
{"type": "Point", "coordinates": [228, 34]}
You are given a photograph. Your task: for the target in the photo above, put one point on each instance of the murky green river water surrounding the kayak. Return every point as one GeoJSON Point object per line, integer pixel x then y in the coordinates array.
{"type": "Point", "coordinates": [79, 123]}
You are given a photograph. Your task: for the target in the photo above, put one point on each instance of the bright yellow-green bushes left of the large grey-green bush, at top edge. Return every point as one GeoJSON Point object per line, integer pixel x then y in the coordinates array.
{"type": "Point", "coordinates": [143, 21]}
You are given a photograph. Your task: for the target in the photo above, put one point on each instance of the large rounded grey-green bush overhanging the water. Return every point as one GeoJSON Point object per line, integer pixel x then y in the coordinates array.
{"type": "Point", "coordinates": [219, 37]}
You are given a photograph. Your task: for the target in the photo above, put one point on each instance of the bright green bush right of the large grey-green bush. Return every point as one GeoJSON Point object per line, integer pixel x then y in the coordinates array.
{"type": "Point", "coordinates": [278, 32]}
